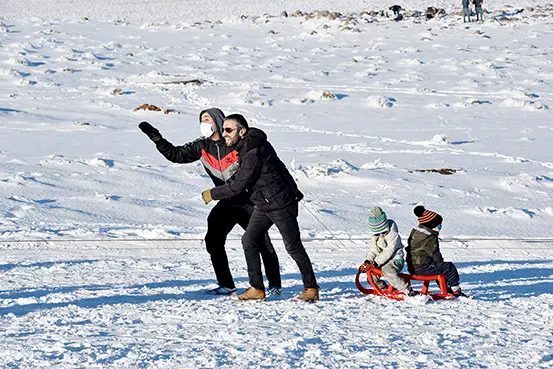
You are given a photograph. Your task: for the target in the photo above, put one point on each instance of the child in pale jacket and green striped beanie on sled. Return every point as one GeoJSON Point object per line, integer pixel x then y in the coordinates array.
{"type": "Point", "coordinates": [385, 251]}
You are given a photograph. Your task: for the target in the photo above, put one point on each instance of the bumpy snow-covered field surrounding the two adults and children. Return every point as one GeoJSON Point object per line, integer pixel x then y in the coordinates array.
{"type": "Point", "coordinates": [101, 258]}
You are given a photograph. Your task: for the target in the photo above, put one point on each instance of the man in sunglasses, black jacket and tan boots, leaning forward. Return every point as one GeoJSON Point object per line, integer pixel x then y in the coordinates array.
{"type": "Point", "coordinates": [275, 195]}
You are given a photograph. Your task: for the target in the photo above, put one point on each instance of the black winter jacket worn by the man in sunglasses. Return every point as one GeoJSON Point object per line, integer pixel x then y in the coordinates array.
{"type": "Point", "coordinates": [261, 173]}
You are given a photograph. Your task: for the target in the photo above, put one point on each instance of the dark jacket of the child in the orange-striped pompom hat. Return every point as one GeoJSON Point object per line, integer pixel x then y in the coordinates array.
{"type": "Point", "coordinates": [423, 248]}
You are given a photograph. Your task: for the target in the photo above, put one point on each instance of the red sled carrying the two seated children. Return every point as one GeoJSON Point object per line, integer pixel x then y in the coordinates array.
{"type": "Point", "coordinates": [394, 294]}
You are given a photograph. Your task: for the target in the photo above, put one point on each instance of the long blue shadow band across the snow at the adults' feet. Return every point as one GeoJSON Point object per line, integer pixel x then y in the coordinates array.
{"type": "Point", "coordinates": [511, 282]}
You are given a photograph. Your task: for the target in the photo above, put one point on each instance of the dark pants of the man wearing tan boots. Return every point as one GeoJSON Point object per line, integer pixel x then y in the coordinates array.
{"type": "Point", "coordinates": [287, 223]}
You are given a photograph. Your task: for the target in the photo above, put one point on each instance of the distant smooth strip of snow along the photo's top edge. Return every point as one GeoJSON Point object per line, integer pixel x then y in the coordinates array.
{"type": "Point", "coordinates": [190, 11]}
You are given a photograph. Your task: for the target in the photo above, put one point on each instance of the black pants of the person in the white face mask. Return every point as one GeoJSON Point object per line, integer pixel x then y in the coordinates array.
{"type": "Point", "coordinates": [221, 220]}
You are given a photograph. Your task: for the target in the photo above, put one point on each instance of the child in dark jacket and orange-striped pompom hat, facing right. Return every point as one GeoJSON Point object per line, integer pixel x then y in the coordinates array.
{"type": "Point", "coordinates": [423, 250]}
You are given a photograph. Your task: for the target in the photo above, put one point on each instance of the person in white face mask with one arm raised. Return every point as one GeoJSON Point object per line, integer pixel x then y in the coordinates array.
{"type": "Point", "coordinates": [220, 162]}
